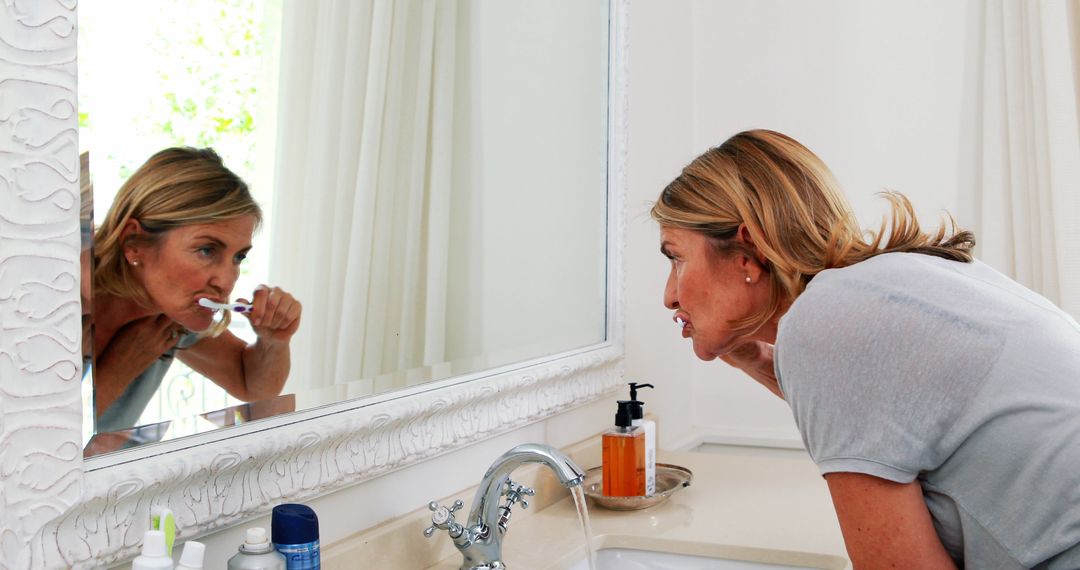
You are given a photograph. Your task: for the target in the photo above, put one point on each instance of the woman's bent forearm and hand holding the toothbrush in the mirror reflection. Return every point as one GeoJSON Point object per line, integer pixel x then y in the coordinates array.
{"type": "Point", "coordinates": [251, 372]}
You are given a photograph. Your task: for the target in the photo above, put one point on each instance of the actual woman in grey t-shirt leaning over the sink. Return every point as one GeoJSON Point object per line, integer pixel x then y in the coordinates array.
{"type": "Point", "coordinates": [940, 400]}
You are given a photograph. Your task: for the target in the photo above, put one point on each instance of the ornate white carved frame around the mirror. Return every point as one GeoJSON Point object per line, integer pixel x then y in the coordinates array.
{"type": "Point", "coordinates": [59, 511]}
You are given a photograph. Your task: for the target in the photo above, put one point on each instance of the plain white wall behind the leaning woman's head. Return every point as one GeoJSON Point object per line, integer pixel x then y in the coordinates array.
{"type": "Point", "coordinates": [873, 87]}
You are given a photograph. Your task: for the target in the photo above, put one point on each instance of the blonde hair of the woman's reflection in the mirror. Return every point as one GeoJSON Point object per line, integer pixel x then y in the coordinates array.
{"type": "Point", "coordinates": [177, 187]}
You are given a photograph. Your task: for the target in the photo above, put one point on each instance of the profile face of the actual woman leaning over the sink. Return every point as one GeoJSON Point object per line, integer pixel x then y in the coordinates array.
{"type": "Point", "coordinates": [706, 290]}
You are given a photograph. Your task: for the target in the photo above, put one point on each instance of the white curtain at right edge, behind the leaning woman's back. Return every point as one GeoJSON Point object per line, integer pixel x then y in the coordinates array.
{"type": "Point", "coordinates": [1022, 169]}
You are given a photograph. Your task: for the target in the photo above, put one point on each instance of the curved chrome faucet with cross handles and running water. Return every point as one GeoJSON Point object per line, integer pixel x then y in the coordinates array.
{"type": "Point", "coordinates": [480, 540]}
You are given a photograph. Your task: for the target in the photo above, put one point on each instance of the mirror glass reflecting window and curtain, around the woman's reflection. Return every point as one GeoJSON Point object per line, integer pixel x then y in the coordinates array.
{"type": "Point", "coordinates": [434, 180]}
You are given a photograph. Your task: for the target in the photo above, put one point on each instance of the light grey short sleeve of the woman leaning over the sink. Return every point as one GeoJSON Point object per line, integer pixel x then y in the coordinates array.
{"type": "Point", "coordinates": [877, 378]}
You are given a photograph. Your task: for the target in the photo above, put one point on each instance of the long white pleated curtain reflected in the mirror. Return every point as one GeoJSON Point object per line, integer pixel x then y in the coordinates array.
{"type": "Point", "coordinates": [362, 184]}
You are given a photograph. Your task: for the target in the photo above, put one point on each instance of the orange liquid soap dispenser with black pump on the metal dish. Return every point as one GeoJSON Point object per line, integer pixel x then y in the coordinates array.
{"type": "Point", "coordinates": [624, 451]}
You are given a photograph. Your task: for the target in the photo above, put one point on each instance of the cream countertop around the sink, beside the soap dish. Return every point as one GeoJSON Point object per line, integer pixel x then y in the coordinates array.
{"type": "Point", "coordinates": [774, 509]}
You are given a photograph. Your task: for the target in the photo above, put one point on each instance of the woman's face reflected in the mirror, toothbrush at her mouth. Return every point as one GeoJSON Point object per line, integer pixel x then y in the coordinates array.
{"type": "Point", "coordinates": [193, 263]}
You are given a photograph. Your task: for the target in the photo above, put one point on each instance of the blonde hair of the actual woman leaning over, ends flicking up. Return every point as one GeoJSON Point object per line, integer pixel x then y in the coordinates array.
{"type": "Point", "coordinates": [798, 218]}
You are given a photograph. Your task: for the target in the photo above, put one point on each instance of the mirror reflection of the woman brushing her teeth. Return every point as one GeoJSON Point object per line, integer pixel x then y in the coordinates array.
{"type": "Point", "coordinates": [178, 233]}
